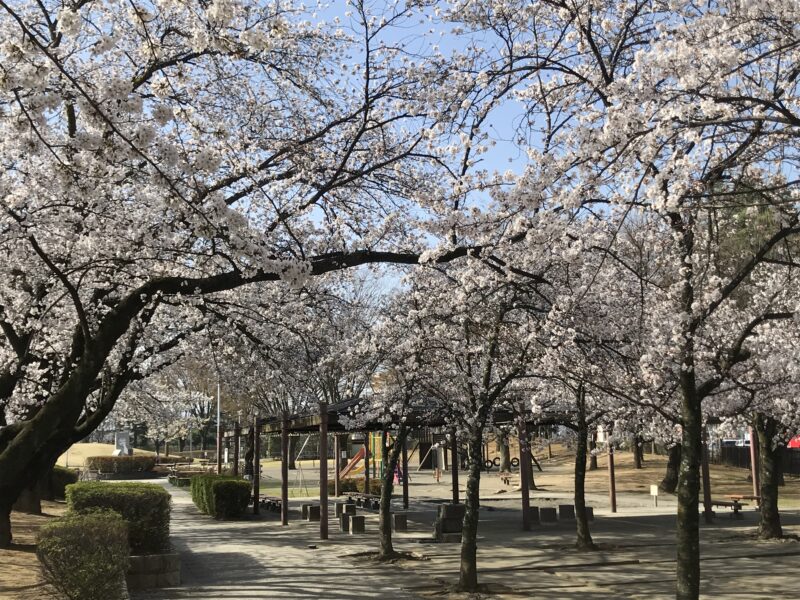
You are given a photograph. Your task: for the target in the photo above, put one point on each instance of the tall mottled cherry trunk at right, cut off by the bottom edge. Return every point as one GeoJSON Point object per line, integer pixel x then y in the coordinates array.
{"type": "Point", "coordinates": [688, 523]}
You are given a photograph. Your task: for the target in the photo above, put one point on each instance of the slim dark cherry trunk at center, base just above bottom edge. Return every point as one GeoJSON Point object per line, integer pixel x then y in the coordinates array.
{"type": "Point", "coordinates": [468, 577]}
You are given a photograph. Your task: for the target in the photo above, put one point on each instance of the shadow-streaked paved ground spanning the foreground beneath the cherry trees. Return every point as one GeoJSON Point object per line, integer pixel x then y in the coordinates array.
{"type": "Point", "coordinates": [258, 558]}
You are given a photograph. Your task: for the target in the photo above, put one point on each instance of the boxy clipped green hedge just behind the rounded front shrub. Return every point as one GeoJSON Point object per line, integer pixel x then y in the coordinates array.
{"type": "Point", "coordinates": [145, 507]}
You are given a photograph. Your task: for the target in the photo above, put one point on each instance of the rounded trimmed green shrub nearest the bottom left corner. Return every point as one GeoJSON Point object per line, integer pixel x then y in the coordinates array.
{"type": "Point", "coordinates": [85, 556]}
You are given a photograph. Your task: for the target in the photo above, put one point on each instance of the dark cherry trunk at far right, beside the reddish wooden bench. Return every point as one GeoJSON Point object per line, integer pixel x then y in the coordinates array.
{"type": "Point", "coordinates": [769, 455]}
